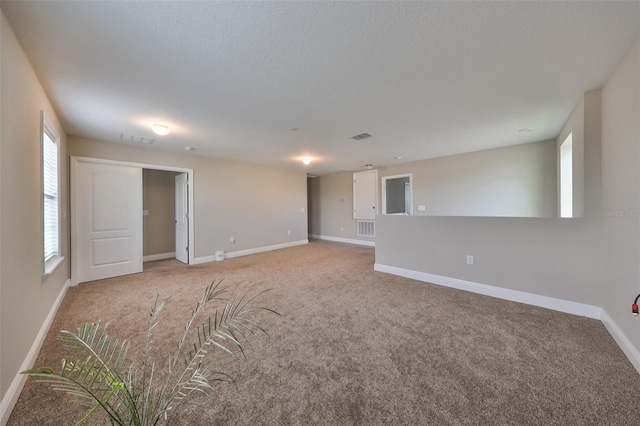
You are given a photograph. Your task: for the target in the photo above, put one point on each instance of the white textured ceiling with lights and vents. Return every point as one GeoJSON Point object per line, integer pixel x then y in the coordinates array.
{"type": "Point", "coordinates": [426, 79]}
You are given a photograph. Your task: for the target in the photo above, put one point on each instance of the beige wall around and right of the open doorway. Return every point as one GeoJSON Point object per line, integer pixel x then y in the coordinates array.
{"type": "Point", "coordinates": [255, 204]}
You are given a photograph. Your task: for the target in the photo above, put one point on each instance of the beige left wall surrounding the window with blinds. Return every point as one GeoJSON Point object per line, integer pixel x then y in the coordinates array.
{"type": "Point", "coordinates": [25, 298]}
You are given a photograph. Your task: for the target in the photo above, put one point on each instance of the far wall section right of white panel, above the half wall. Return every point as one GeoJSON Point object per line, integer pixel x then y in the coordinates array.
{"type": "Point", "coordinates": [514, 181]}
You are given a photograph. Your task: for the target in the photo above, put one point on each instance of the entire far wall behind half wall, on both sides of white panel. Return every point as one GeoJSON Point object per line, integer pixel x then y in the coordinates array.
{"type": "Point", "coordinates": [515, 181]}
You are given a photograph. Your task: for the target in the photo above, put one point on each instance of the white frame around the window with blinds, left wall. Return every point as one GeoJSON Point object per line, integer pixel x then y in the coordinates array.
{"type": "Point", "coordinates": [49, 265]}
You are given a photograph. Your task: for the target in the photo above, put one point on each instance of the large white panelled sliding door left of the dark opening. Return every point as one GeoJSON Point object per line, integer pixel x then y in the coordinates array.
{"type": "Point", "coordinates": [107, 209]}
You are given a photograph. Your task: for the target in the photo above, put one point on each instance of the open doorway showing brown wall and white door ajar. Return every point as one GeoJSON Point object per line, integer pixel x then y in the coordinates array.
{"type": "Point", "coordinates": [165, 215]}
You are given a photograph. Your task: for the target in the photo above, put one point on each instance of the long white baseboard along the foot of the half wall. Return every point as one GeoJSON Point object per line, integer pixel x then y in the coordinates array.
{"type": "Point", "coordinates": [499, 292]}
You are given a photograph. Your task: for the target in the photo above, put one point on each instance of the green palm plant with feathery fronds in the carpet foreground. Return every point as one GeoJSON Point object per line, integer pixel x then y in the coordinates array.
{"type": "Point", "coordinates": [96, 371]}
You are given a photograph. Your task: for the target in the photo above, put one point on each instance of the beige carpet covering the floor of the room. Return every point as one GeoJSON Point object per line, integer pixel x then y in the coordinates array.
{"type": "Point", "coordinates": [358, 347]}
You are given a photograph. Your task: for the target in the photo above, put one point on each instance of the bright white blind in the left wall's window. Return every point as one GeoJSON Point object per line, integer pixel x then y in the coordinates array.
{"type": "Point", "coordinates": [51, 217]}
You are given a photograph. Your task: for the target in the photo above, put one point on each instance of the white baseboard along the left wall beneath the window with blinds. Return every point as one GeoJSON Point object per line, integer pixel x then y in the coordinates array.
{"type": "Point", "coordinates": [11, 397]}
